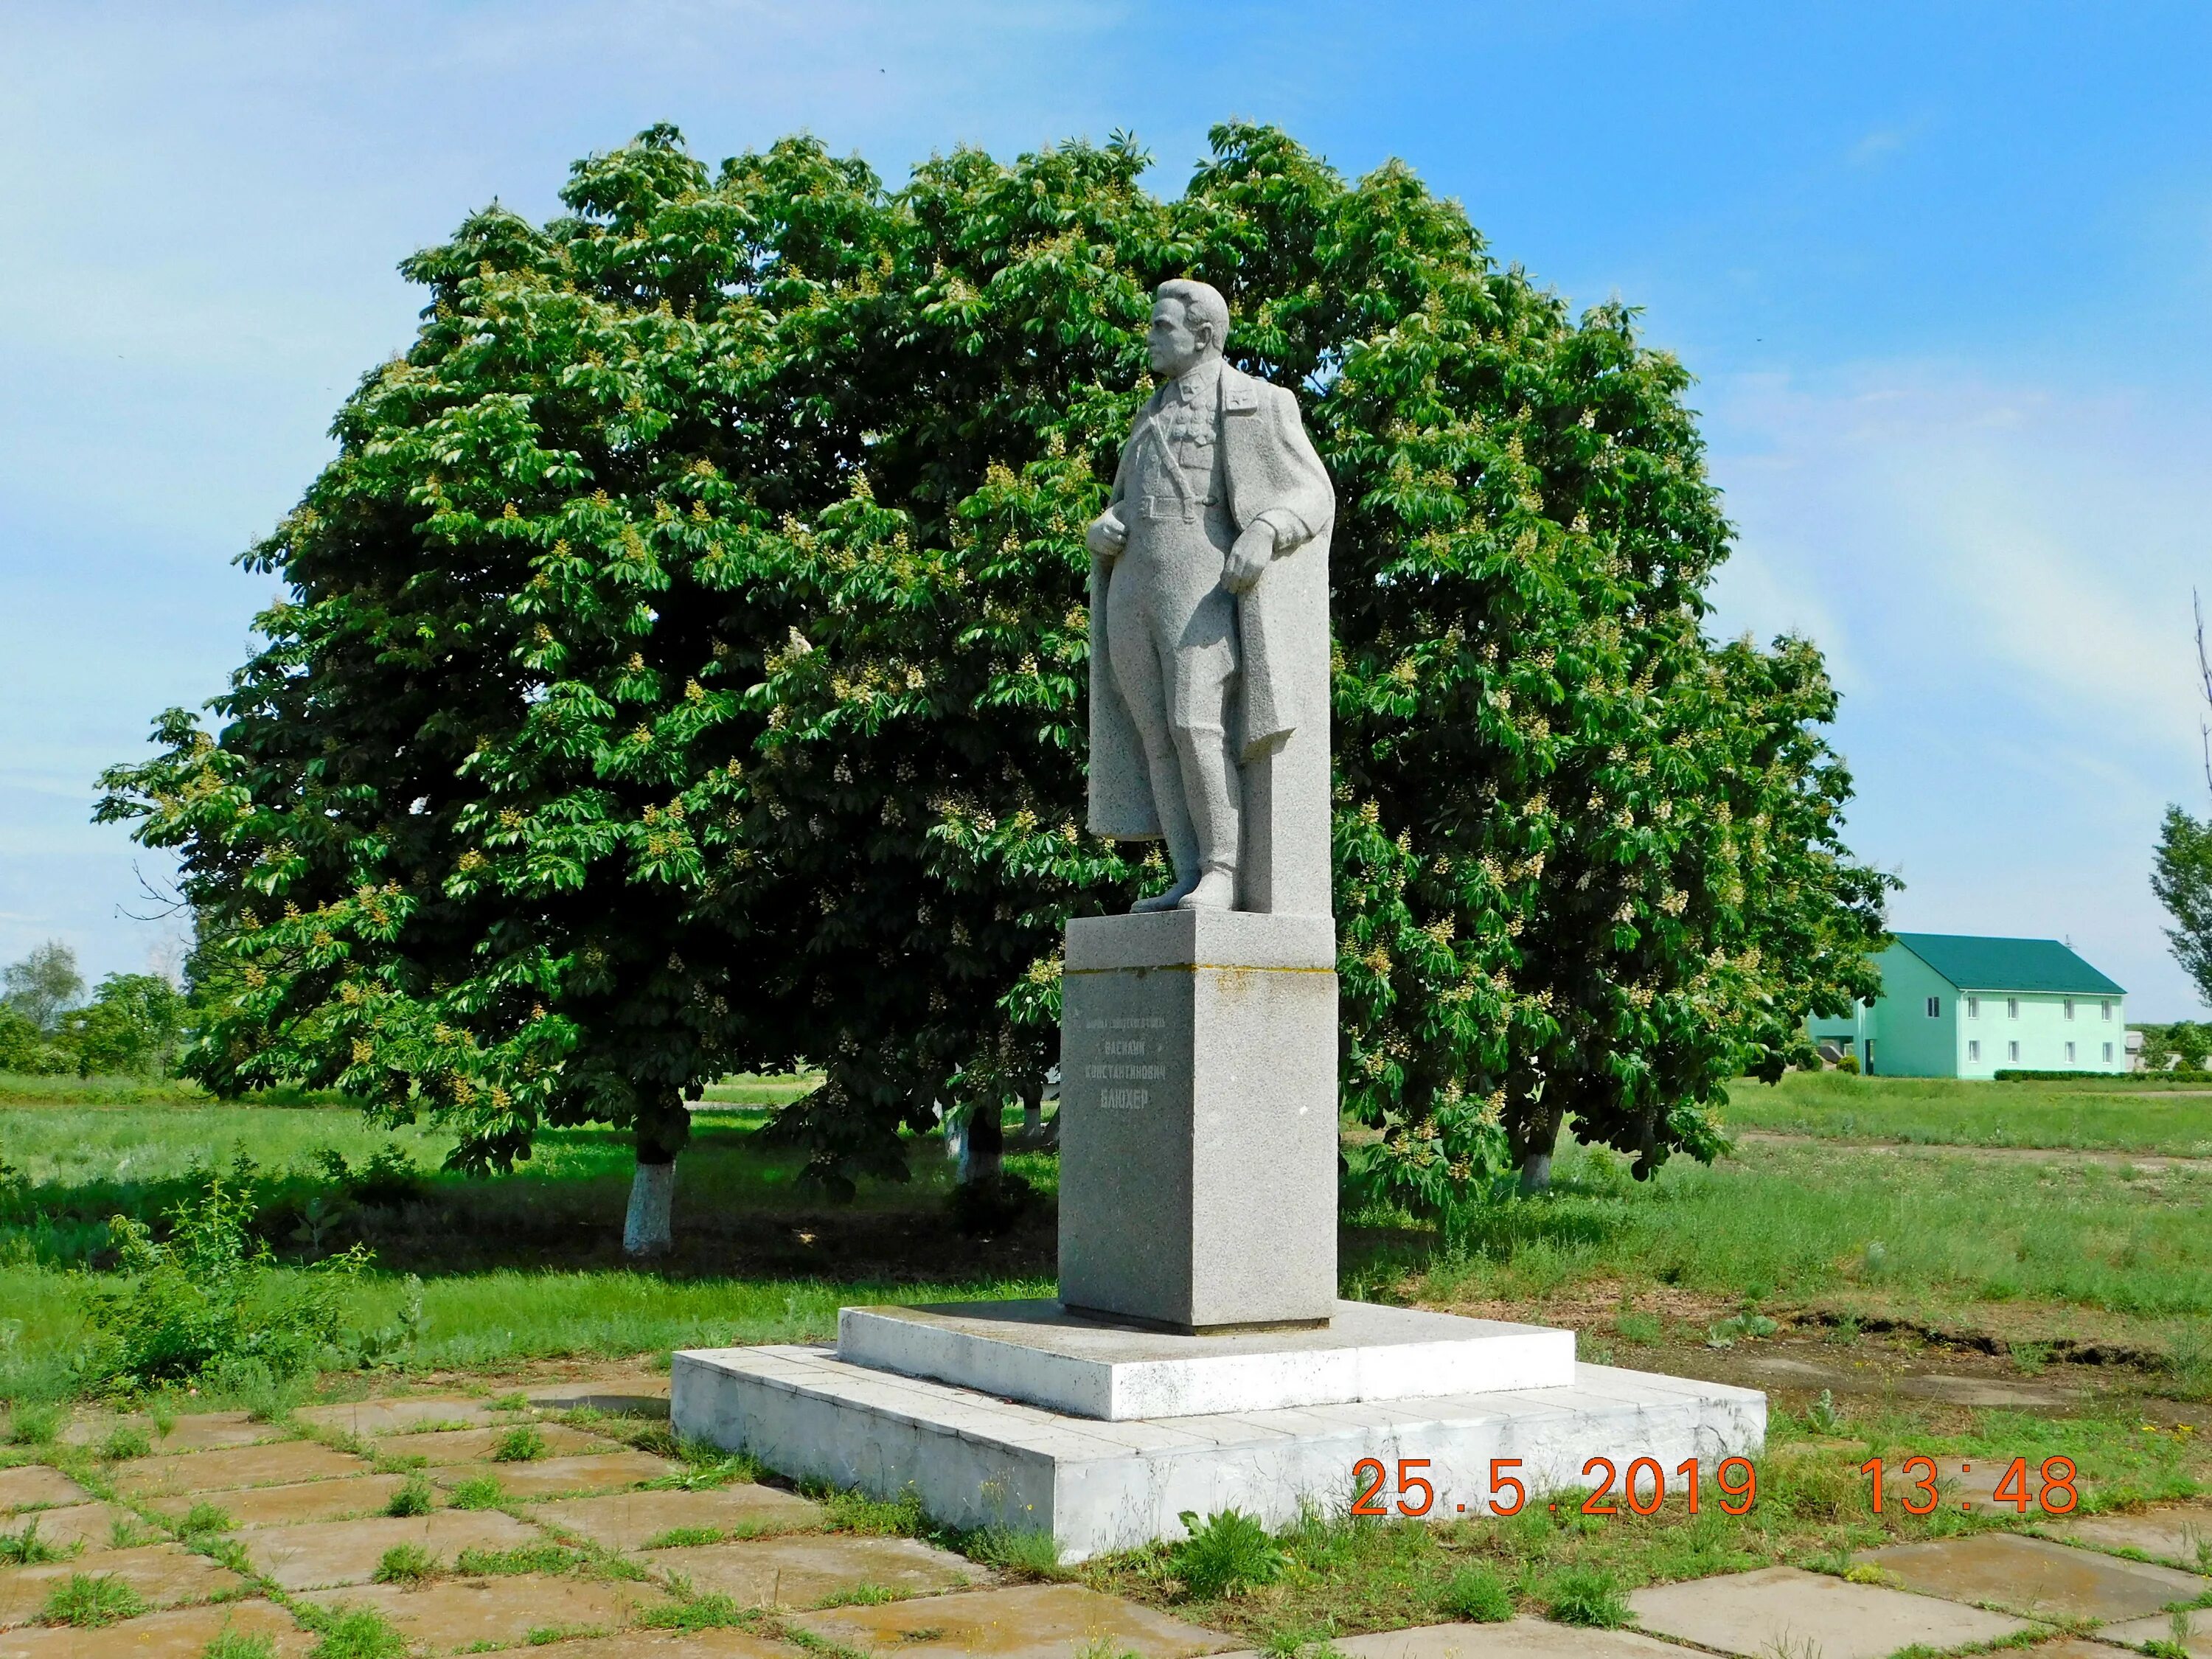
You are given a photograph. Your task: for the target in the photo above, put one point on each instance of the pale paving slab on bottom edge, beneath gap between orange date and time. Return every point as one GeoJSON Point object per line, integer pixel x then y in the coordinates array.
{"type": "Point", "coordinates": [1782, 1609]}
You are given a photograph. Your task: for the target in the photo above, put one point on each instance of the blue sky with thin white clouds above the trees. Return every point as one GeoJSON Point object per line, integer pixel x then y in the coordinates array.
{"type": "Point", "coordinates": [1945, 275]}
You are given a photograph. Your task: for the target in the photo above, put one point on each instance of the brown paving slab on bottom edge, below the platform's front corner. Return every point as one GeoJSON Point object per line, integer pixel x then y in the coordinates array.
{"type": "Point", "coordinates": [1025, 1623]}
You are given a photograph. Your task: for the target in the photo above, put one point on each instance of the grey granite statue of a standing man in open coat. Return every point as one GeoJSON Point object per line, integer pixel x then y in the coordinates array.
{"type": "Point", "coordinates": [1211, 629]}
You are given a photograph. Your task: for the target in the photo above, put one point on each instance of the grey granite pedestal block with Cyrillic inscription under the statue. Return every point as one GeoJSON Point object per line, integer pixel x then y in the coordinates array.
{"type": "Point", "coordinates": [1198, 1118]}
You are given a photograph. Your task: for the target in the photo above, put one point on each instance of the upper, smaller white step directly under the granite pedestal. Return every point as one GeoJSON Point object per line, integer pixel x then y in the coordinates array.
{"type": "Point", "coordinates": [1041, 1355]}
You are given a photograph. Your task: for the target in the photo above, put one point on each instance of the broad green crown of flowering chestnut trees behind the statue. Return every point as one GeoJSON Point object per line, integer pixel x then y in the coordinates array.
{"type": "Point", "coordinates": [680, 669]}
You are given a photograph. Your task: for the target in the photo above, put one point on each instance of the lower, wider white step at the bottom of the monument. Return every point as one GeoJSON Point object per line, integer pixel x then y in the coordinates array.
{"type": "Point", "coordinates": [1100, 1485]}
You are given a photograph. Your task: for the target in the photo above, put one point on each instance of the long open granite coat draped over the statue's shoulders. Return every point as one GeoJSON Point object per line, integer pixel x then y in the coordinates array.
{"type": "Point", "coordinates": [1271, 470]}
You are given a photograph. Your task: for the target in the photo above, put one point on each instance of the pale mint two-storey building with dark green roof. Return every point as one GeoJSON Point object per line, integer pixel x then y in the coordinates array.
{"type": "Point", "coordinates": [1957, 1005]}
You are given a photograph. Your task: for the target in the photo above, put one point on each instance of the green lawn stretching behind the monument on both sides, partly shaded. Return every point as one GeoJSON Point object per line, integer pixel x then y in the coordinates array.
{"type": "Point", "coordinates": [523, 1266]}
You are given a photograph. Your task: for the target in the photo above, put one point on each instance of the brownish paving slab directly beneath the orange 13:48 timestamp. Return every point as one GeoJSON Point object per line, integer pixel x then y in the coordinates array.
{"type": "Point", "coordinates": [2036, 1576]}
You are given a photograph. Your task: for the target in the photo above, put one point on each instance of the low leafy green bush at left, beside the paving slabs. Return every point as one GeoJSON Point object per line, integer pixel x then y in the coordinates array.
{"type": "Point", "coordinates": [211, 1300]}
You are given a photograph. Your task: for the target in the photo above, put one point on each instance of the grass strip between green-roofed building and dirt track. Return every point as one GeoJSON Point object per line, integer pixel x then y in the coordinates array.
{"type": "Point", "coordinates": [1941, 1112]}
